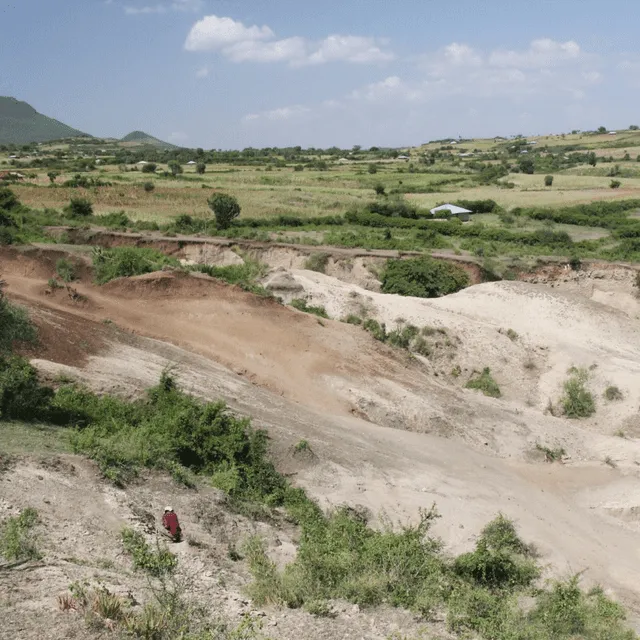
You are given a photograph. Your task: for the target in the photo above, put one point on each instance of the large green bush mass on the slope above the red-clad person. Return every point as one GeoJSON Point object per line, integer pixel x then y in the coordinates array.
{"type": "Point", "coordinates": [170, 428]}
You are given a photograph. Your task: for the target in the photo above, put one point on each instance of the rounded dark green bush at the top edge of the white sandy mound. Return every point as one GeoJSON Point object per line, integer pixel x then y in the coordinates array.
{"type": "Point", "coordinates": [423, 277]}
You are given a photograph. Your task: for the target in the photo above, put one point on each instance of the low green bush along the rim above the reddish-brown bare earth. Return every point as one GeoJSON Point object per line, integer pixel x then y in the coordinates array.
{"type": "Point", "coordinates": [122, 262]}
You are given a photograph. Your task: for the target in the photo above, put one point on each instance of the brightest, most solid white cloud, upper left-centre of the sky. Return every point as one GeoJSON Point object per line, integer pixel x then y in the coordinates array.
{"type": "Point", "coordinates": [240, 43]}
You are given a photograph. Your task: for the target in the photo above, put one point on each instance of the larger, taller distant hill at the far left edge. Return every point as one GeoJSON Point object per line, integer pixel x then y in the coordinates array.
{"type": "Point", "coordinates": [20, 123]}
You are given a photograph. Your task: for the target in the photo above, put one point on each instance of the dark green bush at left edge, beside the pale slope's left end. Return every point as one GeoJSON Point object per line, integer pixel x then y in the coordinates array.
{"type": "Point", "coordinates": [22, 397]}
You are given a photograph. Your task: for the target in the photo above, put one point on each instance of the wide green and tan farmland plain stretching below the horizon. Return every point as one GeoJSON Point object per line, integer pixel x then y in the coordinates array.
{"type": "Point", "coordinates": [334, 197]}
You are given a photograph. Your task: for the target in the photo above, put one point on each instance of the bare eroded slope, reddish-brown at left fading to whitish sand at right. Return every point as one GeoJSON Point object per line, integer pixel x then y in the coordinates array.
{"type": "Point", "coordinates": [424, 438]}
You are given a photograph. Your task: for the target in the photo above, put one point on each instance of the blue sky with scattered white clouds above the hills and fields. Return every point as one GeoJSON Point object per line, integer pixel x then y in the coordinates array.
{"type": "Point", "coordinates": [228, 74]}
